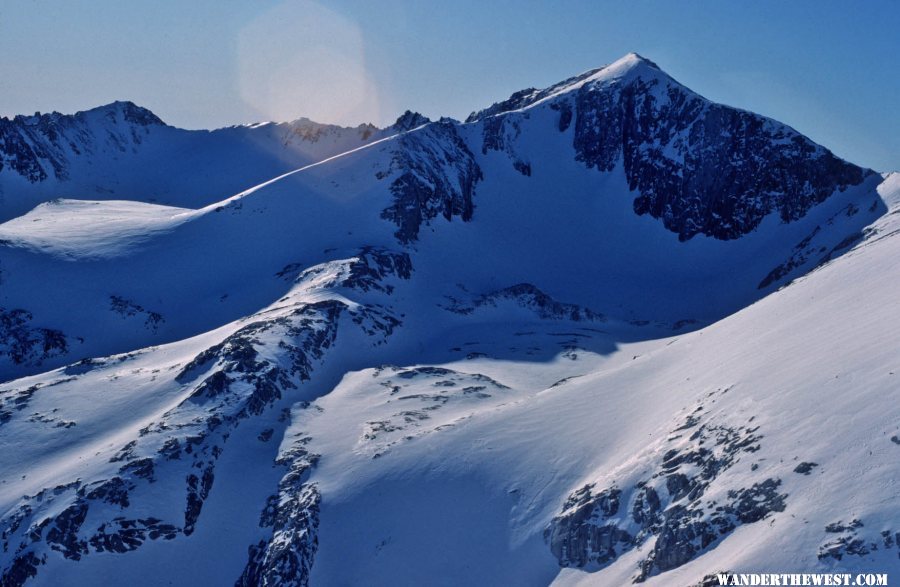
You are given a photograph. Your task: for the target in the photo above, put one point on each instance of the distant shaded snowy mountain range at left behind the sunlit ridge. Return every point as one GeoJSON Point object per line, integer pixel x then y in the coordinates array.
{"type": "Point", "coordinates": [123, 151]}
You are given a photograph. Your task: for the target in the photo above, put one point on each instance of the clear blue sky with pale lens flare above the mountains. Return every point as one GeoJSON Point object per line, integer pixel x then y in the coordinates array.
{"type": "Point", "coordinates": [830, 69]}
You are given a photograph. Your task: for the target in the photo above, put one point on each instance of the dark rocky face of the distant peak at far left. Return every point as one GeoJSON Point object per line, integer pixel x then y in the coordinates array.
{"type": "Point", "coordinates": [39, 147]}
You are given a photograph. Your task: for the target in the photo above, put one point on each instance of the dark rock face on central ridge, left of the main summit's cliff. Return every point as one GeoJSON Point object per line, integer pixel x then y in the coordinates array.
{"type": "Point", "coordinates": [435, 174]}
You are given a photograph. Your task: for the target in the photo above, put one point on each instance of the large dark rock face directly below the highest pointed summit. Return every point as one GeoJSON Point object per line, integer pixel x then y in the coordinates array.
{"type": "Point", "coordinates": [702, 168]}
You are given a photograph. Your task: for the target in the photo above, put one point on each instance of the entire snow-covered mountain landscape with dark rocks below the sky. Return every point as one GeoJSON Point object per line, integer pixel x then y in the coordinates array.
{"type": "Point", "coordinates": [604, 332]}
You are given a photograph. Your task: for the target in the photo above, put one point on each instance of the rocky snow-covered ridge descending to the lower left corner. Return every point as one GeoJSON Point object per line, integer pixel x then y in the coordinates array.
{"type": "Point", "coordinates": [184, 429]}
